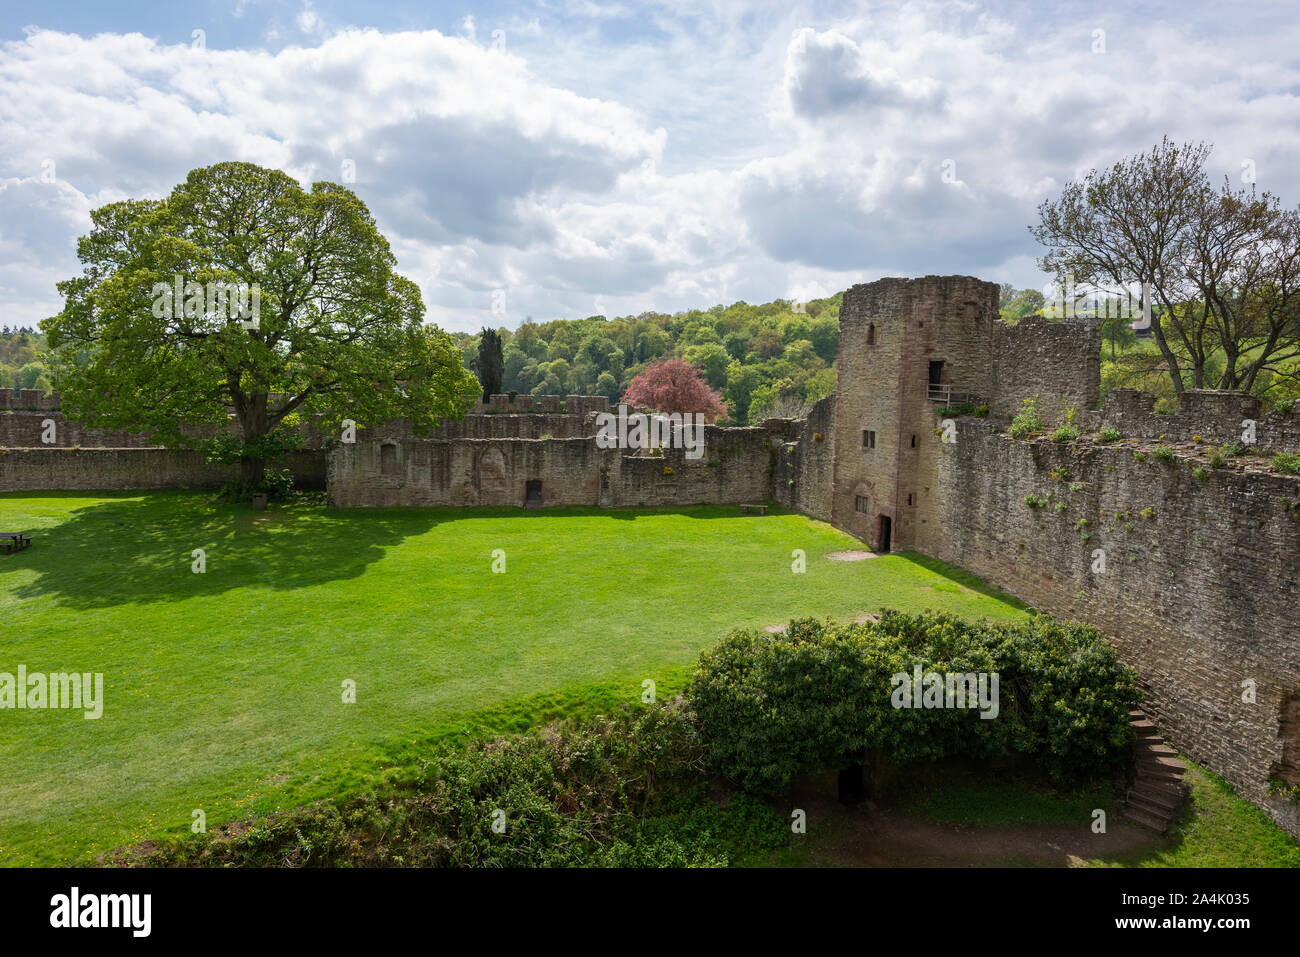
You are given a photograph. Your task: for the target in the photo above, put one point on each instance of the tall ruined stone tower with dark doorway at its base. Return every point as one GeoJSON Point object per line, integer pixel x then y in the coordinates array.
{"type": "Point", "coordinates": [907, 349]}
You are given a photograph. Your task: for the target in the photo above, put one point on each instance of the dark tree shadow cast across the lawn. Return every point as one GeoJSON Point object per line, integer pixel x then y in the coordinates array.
{"type": "Point", "coordinates": [140, 549]}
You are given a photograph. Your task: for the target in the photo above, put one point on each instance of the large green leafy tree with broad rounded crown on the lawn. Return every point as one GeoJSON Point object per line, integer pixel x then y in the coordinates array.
{"type": "Point", "coordinates": [337, 335]}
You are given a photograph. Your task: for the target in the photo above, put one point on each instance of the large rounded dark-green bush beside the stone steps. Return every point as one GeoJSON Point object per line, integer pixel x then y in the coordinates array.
{"type": "Point", "coordinates": [772, 707]}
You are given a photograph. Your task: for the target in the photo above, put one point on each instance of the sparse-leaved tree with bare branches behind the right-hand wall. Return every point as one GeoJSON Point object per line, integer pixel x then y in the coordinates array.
{"type": "Point", "coordinates": [1223, 265]}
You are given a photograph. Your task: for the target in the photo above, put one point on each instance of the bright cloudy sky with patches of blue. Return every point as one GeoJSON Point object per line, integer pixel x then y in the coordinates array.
{"type": "Point", "coordinates": [571, 158]}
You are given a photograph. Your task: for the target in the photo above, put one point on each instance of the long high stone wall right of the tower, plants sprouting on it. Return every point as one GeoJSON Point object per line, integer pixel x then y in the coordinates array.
{"type": "Point", "coordinates": [1201, 594]}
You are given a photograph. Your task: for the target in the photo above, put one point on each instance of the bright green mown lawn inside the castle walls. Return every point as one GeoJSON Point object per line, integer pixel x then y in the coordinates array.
{"type": "Point", "coordinates": [223, 691]}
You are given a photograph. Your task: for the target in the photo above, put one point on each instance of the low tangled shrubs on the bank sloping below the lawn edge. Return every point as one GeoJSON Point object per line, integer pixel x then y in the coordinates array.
{"type": "Point", "coordinates": [622, 791]}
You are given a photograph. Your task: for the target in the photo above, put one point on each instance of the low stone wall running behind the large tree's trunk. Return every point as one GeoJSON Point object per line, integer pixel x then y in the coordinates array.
{"type": "Point", "coordinates": [51, 469]}
